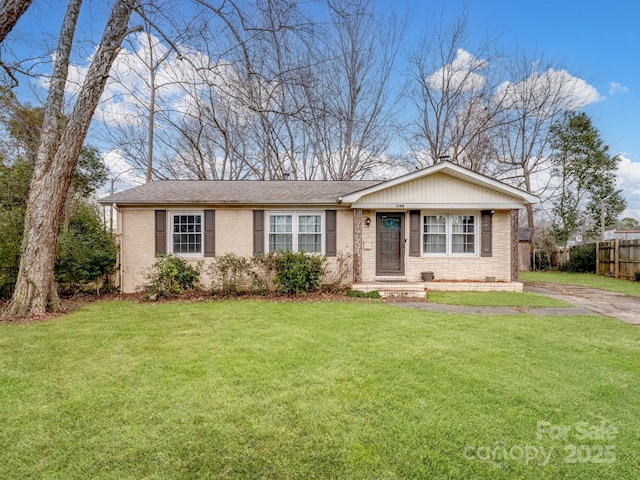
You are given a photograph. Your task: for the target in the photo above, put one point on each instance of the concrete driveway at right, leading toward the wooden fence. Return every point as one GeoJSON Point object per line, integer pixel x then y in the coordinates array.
{"type": "Point", "coordinates": [600, 302]}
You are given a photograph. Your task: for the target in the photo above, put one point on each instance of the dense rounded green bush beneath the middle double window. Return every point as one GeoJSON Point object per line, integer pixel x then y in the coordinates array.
{"type": "Point", "coordinates": [298, 272]}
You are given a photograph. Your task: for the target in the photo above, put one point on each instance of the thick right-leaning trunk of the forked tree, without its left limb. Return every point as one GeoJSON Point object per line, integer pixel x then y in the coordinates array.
{"type": "Point", "coordinates": [35, 291]}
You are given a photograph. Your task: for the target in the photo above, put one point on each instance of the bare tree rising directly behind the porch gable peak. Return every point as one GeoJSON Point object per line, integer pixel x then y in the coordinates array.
{"type": "Point", "coordinates": [454, 93]}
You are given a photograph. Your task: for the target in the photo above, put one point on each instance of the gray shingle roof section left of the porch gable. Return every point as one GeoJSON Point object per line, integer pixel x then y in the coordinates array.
{"type": "Point", "coordinates": [237, 192]}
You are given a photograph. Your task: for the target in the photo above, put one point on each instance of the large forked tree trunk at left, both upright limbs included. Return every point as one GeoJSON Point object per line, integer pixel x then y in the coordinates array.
{"type": "Point", "coordinates": [57, 158]}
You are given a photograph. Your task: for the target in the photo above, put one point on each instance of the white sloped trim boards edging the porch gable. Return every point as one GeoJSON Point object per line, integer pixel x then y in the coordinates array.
{"type": "Point", "coordinates": [452, 170]}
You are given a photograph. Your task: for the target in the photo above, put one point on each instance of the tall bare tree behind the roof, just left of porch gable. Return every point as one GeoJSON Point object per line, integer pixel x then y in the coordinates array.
{"type": "Point", "coordinates": [352, 109]}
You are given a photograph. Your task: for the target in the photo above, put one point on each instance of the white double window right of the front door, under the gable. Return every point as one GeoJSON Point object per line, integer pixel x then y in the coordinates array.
{"type": "Point", "coordinates": [449, 234]}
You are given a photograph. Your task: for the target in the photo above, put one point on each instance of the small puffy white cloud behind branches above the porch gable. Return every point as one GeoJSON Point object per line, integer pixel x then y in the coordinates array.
{"type": "Point", "coordinates": [461, 73]}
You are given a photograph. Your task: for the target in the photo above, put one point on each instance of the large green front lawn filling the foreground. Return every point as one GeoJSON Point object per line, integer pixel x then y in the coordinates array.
{"type": "Point", "coordinates": [256, 389]}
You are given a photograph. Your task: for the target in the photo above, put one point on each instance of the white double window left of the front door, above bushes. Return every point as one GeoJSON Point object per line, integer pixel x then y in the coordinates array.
{"type": "Point", "coordinates": [295, 232]}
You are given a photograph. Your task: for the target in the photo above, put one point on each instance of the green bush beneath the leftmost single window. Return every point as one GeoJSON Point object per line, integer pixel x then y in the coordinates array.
{"type": "Point", "coordinates": [172, 275]}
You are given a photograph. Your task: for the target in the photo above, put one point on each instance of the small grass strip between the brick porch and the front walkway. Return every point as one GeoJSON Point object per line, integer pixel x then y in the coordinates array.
{"type": "Point", "coordinates": [495, 299]}
